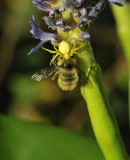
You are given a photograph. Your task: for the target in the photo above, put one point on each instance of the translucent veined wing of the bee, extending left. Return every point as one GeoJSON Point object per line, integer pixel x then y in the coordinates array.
{"type": "Point", "coordinates": [44, 73]}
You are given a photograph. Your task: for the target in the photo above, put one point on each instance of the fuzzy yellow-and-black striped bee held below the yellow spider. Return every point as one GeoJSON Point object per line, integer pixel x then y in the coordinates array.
{"type": "Point", "coordinates": [66, 72]}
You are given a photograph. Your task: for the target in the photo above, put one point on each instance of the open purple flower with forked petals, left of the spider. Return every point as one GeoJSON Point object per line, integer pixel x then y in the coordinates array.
{"type": "Point", "coordinates": [39, 34]}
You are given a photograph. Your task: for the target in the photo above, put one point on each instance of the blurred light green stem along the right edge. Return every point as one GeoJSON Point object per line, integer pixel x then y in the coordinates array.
{"type": "Point", "coordinates": [122, 16]}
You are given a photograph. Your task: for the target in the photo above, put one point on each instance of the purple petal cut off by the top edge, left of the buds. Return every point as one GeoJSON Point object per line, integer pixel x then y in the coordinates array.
{"type": "Point", "coordinates": [41, 4]}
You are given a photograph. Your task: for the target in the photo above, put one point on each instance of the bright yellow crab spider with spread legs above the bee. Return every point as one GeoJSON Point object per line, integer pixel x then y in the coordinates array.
{"type": "Point", "coordinates": [64, 51]}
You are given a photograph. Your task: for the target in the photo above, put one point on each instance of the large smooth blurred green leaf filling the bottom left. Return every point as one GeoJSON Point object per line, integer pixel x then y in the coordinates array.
{"type": "Point", "coordinates": [21, 140]}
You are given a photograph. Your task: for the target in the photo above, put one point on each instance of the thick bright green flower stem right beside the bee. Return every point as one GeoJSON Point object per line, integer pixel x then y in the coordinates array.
{"type": "Point", "coordinates": [103, 121]}
